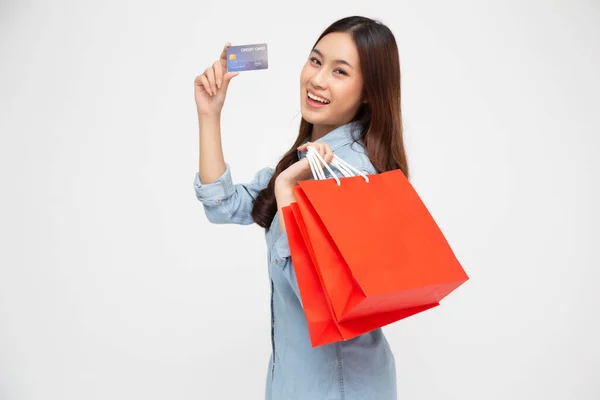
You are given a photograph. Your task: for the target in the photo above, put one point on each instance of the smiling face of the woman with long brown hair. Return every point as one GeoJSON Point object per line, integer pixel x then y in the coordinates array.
{"type": "Point", "coordinates": [331, 82]}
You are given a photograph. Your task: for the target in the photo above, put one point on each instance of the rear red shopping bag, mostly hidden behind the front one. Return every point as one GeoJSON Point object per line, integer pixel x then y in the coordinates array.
{"type": "Point", "coordinates": [323, 327]}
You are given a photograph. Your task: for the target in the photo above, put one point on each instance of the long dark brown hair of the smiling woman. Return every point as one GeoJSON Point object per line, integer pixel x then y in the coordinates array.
{"type": "Point", "coordinates": [380, 118]}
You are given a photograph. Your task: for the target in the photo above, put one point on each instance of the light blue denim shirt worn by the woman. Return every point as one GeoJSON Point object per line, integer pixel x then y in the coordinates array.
{"type": "Point", "coordinates": [362, 368]}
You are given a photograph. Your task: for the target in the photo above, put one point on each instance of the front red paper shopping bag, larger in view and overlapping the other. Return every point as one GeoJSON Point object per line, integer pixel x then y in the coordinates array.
{"type": "Point", "coordinates": [375, 246]}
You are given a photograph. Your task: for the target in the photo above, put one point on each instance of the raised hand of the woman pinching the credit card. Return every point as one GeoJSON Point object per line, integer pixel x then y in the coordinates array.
{"type": "Point", "coordinates": [210, 88]}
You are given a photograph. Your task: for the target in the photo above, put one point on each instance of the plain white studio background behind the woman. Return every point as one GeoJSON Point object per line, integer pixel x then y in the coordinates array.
{"type": "Point", "coordinates": [113, 285]}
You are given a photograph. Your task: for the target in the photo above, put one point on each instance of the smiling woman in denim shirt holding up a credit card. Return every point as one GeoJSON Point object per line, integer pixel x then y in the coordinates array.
{"type": "Point", "coordinates": [350, 103]}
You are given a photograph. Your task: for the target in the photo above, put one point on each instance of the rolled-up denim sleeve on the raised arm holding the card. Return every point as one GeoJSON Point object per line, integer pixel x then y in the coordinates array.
{"type": "Point", "coordinates": [228, 203]}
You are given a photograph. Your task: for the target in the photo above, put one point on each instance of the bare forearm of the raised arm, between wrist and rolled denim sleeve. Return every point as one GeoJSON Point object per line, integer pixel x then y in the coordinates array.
{"type": "Point", "coordinates": [211, 164]}
